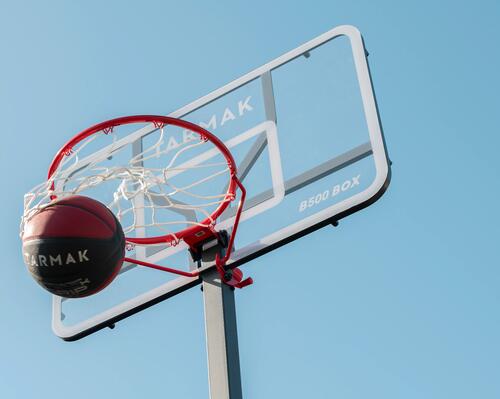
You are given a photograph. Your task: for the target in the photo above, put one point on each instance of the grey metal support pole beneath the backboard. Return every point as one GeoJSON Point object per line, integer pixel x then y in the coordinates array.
{"type": "Point", "coordinates": [222, 337]}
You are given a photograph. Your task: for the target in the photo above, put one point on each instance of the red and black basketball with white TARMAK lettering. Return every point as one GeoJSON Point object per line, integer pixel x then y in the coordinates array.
{"type": "Point", "coordinates": [74, 247]}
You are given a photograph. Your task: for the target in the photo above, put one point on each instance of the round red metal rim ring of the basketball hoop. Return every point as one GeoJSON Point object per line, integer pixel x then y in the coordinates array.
{"type": "Point", "coordinates": [159, 121]}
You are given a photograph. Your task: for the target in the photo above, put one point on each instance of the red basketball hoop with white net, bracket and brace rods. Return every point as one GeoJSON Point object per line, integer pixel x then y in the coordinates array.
{"type": "Point", "coordinates": [141, 196]}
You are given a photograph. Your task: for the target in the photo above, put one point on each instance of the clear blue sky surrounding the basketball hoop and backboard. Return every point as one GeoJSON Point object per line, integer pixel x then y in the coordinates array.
{"type": "Point", "coordinates": [400, 301]}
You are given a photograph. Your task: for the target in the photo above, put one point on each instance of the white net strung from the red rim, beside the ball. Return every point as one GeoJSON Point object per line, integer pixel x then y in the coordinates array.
{"type": "Point", "coordinates": [157, 180]}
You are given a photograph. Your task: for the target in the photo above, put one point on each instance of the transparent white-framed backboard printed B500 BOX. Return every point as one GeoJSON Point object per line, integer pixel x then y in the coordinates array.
{"type": "Point", "coordinates": [305, 133]}
